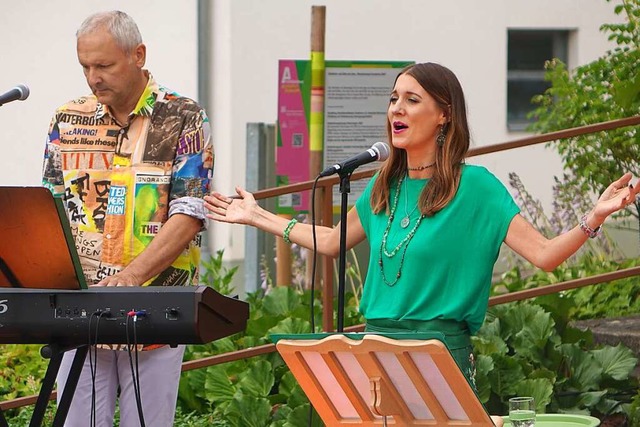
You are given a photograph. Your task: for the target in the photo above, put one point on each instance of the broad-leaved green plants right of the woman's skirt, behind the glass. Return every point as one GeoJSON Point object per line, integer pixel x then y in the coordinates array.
{"type": "Point", "coordinates": [525, 350]}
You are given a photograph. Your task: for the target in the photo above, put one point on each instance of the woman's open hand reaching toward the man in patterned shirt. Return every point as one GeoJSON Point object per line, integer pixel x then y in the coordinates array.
{"type": "Point", "coordinates": [236, 210]}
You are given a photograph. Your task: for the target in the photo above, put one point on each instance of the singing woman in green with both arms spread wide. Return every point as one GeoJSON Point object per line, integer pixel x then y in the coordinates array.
{"type": "Point", "coordinates": [434, 224]}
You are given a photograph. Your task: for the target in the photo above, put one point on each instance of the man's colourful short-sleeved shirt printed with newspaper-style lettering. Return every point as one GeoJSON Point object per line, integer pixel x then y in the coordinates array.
{"type": "Point", "coordinates": [120, 184]}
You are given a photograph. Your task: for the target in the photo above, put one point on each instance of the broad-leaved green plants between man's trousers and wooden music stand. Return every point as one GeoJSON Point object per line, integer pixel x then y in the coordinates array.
{"type": "Point", "coordinates": [258, 391]}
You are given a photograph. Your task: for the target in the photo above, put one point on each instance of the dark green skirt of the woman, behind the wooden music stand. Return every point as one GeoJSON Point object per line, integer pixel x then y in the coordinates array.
{"type": "Point", "coordinates": [456, 334]}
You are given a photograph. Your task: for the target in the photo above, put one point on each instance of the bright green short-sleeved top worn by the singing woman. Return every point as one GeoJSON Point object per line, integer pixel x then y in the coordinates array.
{"type": "Point", "coordinates": [448, 264]}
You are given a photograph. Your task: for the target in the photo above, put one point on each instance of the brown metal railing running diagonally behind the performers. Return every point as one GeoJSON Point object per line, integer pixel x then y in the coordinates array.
{"type": "Point", "coordinates": [326, 184]}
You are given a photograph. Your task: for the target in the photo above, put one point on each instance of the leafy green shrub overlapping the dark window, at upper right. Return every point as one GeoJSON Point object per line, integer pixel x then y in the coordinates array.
{"type": "Point", "coordinates": [605, 89]}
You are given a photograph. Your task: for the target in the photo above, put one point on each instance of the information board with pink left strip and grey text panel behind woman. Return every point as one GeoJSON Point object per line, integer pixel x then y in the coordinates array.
{"type": "Point", "coordinates": [356, 100]}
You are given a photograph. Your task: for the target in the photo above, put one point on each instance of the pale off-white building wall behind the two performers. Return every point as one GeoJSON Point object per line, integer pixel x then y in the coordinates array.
{"type": "Point", "coordinates": [248, 37]}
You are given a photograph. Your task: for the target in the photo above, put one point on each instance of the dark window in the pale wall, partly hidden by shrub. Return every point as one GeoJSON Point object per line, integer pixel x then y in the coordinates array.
{"type": "Point", "coordinates": [527, 52]}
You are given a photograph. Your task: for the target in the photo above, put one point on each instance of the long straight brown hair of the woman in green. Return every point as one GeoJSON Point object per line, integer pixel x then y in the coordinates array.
{"type": "Point", "coordinates": [445, 89]}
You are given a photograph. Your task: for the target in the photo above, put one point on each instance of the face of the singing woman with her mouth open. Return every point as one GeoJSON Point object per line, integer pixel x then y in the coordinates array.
{"type": "Point", "coordinates": [413, 115]}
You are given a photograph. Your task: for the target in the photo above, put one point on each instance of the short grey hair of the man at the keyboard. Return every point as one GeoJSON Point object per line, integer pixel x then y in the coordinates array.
{"type": "Point", "coordinates": [121, 26]}
